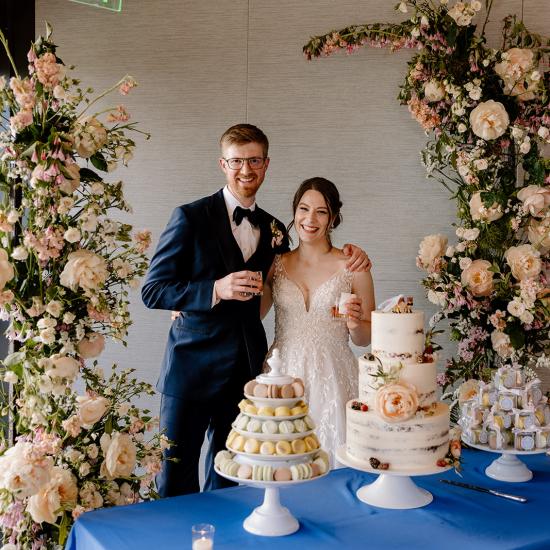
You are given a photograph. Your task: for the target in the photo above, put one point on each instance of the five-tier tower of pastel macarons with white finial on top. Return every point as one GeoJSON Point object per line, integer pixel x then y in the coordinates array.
{"type": "Point", "coordinates": [273, 437]}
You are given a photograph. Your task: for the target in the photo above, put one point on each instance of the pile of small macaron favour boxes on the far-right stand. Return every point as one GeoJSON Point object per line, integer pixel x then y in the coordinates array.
{"type": "Point", "coordinates": [510, 412]}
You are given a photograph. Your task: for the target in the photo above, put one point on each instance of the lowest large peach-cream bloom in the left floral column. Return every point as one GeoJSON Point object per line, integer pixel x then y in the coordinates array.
{"type": "Point", "coordinates": [61, 491]}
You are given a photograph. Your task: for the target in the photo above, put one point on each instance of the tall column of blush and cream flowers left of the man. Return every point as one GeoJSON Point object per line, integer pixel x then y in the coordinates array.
{"type": "Point", "coordinates": [65, 268]}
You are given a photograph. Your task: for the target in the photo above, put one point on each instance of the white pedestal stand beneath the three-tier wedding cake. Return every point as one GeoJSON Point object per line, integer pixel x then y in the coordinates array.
{"type": "Point", "coordinates": [394, 488]}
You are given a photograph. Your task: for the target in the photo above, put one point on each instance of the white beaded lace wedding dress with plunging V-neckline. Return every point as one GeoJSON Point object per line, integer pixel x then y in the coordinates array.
{"type": "Point", "coordinates": [315, 347]}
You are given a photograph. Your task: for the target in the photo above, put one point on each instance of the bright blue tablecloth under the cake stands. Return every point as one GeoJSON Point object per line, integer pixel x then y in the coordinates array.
{"type": "Point", "coordinates": [331, 516]}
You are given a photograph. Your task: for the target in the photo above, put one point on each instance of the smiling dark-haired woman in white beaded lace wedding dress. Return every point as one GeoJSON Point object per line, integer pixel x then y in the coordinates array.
{"type": "Point", "coordinates": [303, 285]}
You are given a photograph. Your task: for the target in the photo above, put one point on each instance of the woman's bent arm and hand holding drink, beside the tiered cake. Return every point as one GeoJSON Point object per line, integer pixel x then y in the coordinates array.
{"type": "Point", "coordinates": [359, 316]}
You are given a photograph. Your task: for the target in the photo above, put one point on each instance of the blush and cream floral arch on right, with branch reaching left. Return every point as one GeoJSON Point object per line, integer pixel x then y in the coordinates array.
{"type": "Point", "coordinates": [486, 112]}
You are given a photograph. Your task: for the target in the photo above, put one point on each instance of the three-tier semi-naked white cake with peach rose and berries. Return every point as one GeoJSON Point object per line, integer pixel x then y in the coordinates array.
{"type": "Point", "coordinates": [397, 422]}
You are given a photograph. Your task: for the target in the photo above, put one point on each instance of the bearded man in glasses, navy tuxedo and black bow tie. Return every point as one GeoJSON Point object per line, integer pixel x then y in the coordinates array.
{"type": "Point", "coordinates": [204, 267]}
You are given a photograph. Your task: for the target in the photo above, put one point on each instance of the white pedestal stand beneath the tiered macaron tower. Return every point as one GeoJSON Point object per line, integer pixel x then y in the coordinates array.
{"type": "Point", "coordinates": [271, 519]}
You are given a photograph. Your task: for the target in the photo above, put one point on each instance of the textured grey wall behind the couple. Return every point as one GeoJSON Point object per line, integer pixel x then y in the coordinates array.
{"type": "Point", "coordinates": [203, 65]}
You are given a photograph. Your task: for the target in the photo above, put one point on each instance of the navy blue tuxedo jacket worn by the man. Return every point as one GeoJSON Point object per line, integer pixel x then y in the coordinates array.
{"type": "Point", "coordinates": [197, 248]}
